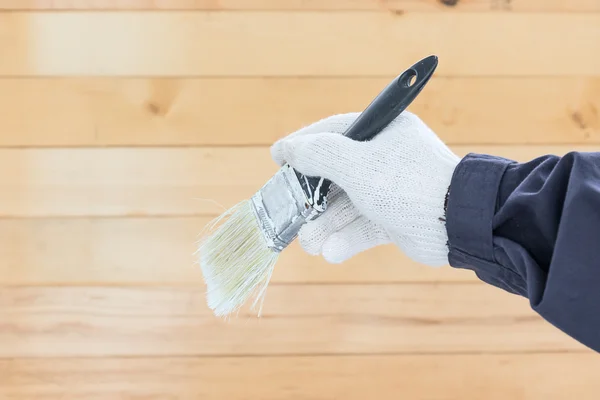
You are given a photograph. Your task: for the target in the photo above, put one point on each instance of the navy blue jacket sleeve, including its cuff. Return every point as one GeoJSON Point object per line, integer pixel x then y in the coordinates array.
{"type": "Point", "coordinates": [533, 229]}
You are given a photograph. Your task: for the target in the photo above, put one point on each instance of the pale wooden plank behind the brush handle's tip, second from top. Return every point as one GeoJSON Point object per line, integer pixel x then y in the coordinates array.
{"type": "Point", "coordinates": [306, 44]}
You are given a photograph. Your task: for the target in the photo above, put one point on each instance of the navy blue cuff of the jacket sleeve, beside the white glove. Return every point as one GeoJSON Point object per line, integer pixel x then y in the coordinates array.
{"type": "Point", "coordinates": [472, 203]}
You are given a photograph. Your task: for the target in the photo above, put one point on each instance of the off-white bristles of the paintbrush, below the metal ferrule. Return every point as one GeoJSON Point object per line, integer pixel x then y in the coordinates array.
{"type": "Point", "coordinates": [236, 261]}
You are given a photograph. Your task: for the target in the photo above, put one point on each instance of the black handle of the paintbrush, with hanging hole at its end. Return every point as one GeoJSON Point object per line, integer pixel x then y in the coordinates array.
{"type": "Point", "coordinates": [386, 107]}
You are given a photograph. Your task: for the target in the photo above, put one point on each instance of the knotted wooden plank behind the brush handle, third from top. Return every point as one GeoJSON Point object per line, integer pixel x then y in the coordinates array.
{"type": "Point", "coordinates": [152, 112]}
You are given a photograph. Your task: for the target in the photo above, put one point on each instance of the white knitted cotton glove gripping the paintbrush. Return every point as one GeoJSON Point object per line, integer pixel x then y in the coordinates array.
{"type": "Point", "coordinates": [391, 189]}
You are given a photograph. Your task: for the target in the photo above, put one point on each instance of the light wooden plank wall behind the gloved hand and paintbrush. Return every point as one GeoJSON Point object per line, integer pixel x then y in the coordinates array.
{"type": "Point", "coordinates": [122, 122]}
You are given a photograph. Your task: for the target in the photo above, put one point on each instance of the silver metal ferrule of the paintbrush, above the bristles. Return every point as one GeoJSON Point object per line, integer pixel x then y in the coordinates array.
{"type": "Point", "coordinates": [281, 207]}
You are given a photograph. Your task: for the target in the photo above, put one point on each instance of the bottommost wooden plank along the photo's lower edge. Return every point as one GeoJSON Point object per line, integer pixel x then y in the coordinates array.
{"type": "Point", "coordinates": [457, 377]}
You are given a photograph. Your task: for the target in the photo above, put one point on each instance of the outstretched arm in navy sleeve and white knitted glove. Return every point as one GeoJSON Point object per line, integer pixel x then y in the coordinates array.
{"type": "Point", "coordinates": [528, 228]}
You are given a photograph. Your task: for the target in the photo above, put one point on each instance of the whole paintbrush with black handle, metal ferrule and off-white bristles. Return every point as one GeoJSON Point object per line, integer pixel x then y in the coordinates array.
{"type": "Point", "coordinates": [238, 258]}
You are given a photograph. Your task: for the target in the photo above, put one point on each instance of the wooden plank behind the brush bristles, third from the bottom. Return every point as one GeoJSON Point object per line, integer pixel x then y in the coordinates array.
{"type": "Point", "coordinates": [159, 251]}
